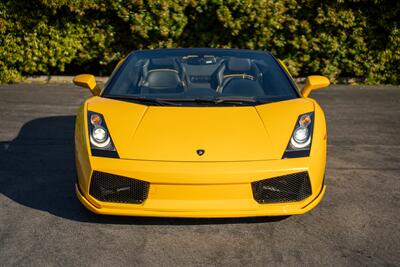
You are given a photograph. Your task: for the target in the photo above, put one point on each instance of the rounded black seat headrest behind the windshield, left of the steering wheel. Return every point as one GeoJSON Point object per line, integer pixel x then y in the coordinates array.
{"type": "Point", "coordinates": [162, 79]}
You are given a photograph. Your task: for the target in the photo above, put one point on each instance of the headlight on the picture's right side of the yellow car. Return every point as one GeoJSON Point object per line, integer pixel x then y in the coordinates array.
{"type": "Point", "coordinates": [300, 141]}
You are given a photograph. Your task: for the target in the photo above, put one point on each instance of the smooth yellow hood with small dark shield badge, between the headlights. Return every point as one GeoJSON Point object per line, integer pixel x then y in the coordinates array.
{"type": "Point", "coordinates": [167, 133]}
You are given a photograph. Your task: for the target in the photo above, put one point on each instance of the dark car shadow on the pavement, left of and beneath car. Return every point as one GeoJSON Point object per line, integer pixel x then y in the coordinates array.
{"type": "Point", "coordinates": [37, 170]}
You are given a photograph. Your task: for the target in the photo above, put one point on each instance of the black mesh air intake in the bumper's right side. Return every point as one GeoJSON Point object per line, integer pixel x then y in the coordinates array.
{"type": "Point", "coordinates": [287, 188]}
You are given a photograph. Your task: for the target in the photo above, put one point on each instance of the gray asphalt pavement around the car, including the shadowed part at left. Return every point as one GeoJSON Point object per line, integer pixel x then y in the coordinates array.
{"type": "Point", "coordinates": [43, 224]}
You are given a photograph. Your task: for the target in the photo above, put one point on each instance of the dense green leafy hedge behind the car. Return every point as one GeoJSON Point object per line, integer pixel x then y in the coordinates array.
{"type": "Point", "coordinates": [338, 38]}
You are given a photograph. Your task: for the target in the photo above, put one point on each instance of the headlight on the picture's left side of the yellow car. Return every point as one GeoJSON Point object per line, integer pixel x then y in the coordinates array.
{"type": "Point", "coordinates": [101, 143]}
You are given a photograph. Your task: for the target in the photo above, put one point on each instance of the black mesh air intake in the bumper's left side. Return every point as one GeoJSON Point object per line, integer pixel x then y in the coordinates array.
{"type": "Point", "coordinates": [114, 188]}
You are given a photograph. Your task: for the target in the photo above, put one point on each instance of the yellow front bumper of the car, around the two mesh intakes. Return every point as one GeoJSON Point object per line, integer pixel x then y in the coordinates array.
{"type": "Point", "coordinates": [200, 189]}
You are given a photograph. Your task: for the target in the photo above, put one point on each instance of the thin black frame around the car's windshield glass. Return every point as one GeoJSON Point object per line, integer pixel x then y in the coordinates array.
{"type": "Point", "coordinates": [117, 72]}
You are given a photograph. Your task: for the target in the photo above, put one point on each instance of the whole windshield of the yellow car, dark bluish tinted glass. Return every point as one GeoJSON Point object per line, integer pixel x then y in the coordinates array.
{"type": "Point", "coordinates": [200, 77]}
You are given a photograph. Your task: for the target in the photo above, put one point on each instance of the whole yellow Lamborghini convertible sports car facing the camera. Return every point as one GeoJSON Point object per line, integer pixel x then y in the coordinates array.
{"type": "Point", "coordinates": [200, 133]}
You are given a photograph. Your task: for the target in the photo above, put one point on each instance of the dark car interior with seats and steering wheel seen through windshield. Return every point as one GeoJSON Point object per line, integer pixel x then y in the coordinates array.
{"type": "Point", "coordinates": [198, 75]}
